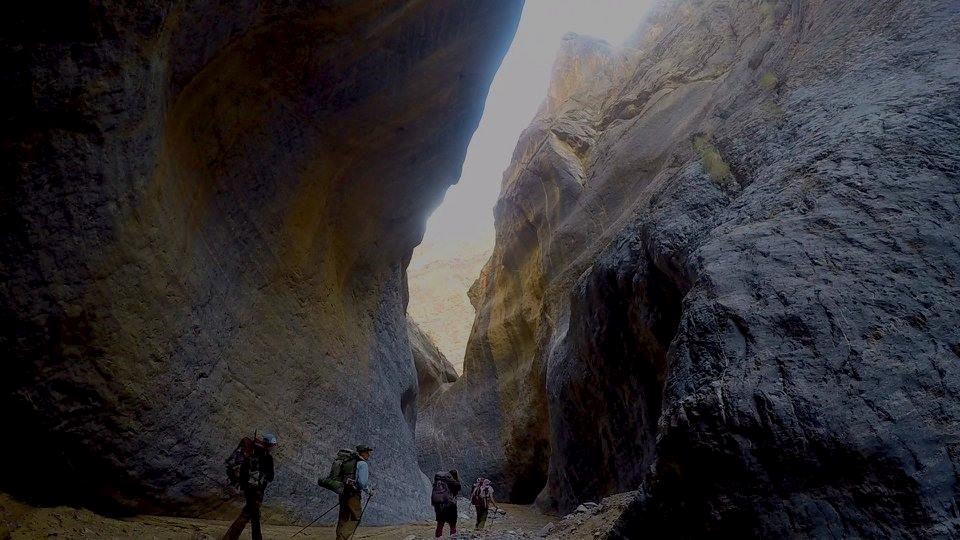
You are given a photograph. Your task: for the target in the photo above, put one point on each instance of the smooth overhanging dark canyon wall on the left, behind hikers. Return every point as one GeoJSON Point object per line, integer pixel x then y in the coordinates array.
{"type": "Point", "coordinates": [206, 219]}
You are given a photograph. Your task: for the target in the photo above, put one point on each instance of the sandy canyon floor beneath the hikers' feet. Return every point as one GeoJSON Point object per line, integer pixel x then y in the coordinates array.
{"type": "Point", "coordinates": [20, 521]}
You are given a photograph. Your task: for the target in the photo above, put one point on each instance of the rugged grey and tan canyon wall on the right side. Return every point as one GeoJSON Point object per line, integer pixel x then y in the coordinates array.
{"type": "Point", "coordinates": [726, 274]}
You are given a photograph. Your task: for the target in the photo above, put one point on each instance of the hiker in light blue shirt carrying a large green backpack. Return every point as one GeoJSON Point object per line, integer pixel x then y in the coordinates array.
{"type": "Point", "coordinates": [349, 477]}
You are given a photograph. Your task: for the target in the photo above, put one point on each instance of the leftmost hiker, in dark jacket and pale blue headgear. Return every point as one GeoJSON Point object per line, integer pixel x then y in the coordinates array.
{"type": "Point", "coordinates": [250, 469]}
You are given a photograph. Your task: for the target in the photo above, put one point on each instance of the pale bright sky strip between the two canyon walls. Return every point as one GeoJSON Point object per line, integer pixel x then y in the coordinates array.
{"type": "Point", "coordinates": [517, 91]}
